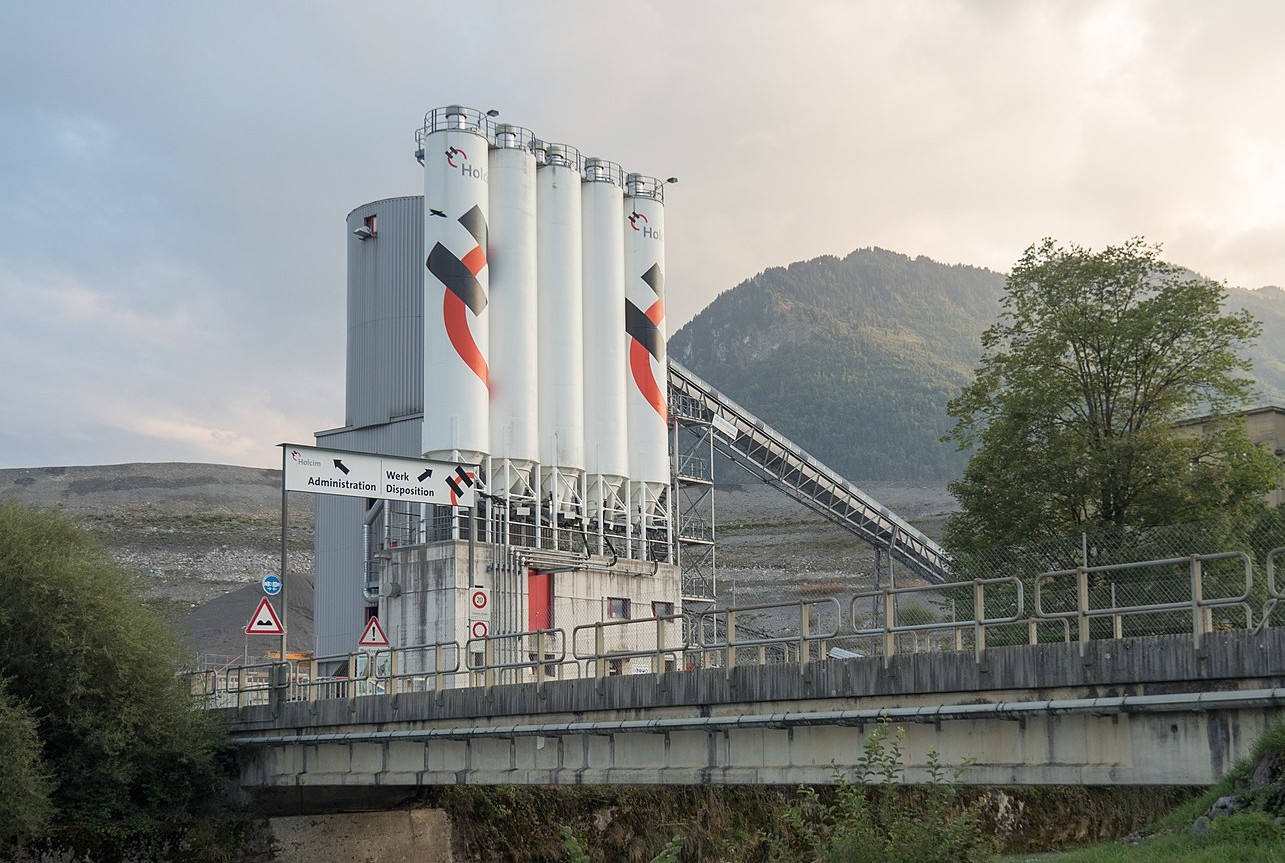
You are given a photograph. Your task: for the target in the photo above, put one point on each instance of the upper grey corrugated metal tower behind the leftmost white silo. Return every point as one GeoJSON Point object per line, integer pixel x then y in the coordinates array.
{"type": "Point", "coordinates": [386, 315]}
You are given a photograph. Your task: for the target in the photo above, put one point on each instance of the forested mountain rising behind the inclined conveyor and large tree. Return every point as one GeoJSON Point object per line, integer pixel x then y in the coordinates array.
{"type": "Point", "coordinates": [855, 359]}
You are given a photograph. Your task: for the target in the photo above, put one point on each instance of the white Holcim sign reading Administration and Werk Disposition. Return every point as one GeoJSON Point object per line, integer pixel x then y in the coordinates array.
{"type": "Point", "coordinates": [363, 475]}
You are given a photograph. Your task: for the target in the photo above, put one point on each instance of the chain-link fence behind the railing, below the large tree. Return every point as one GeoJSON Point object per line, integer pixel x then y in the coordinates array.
{"type": "Point", "coordinates": [1103, 584]}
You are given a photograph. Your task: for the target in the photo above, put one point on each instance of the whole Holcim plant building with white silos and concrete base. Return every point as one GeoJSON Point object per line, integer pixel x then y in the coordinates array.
{"type": "Point", "coordinates": [510, 323]}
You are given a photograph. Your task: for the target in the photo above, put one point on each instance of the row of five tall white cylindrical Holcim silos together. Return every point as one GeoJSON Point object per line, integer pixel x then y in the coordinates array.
{"type": "Point", "coordinates": [544, 324]}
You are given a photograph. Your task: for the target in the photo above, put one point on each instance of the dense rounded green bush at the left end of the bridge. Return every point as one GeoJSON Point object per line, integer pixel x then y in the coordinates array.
{"type": "Point", "coordinates": [132, 761]}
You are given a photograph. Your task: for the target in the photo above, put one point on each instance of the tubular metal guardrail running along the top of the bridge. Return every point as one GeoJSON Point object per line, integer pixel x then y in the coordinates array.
{"type": "Point", "coordinates": [719, 639]}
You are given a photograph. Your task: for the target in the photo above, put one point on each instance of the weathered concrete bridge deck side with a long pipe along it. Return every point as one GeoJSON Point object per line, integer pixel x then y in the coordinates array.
{"type": "Point", "coordinates": [1149, 711]}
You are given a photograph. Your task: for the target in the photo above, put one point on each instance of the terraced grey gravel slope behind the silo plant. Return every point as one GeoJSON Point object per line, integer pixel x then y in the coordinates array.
{"type": "Point", "coordinates": [200, 537]}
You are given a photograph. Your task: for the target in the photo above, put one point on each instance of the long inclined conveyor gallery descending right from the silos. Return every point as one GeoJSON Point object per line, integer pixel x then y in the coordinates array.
{"type": "Point", "coordinates": [765, 453]}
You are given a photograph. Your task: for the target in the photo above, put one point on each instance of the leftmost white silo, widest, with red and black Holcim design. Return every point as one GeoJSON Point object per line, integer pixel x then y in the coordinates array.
{"type": "Point", "coordinates": [457, 338]}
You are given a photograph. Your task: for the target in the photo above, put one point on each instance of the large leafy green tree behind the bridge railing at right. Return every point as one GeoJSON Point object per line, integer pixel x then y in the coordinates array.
{"type": "Point", "coordinates": [1093, 362]}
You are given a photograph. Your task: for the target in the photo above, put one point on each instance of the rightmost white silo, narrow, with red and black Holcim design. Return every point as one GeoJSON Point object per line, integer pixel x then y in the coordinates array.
{"type": "Point", "coordinates": [646, 327]}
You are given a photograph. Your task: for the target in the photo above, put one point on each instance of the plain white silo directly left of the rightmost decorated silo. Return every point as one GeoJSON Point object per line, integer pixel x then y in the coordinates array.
{"type": "Point", "coordinates": [606, 421]}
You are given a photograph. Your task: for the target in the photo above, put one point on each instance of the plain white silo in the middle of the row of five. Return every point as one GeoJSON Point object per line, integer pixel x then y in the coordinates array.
{"type": "Point", "coordinates": [561, 331]}
